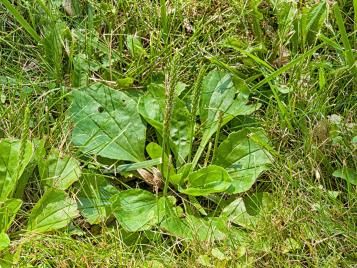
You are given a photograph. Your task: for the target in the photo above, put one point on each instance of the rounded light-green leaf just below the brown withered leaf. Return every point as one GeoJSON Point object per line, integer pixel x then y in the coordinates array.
{"type": "Point", "coordinates": [138, 210]}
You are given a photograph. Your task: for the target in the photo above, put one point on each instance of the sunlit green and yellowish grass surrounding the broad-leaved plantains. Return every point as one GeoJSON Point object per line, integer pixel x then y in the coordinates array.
{"type": "Point", "coordinates": [45, 53]}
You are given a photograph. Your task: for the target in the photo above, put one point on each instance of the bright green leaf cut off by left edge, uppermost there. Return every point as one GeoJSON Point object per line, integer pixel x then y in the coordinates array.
{"type": "Point", "coordinates": [13, 161]}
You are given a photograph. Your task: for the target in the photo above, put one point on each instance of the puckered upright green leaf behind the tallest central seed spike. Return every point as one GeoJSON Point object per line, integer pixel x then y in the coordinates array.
{"type": "Point", "coordinates": [152, 106]}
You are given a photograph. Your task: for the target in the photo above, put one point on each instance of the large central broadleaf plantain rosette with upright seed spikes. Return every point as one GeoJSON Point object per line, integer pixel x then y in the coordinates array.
{"type": "Point", "coordinates": [111, 124]}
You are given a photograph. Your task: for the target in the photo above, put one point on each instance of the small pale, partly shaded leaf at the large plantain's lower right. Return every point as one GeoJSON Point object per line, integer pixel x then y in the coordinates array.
{"type": "Point", "coordinates": [247, 211]}
